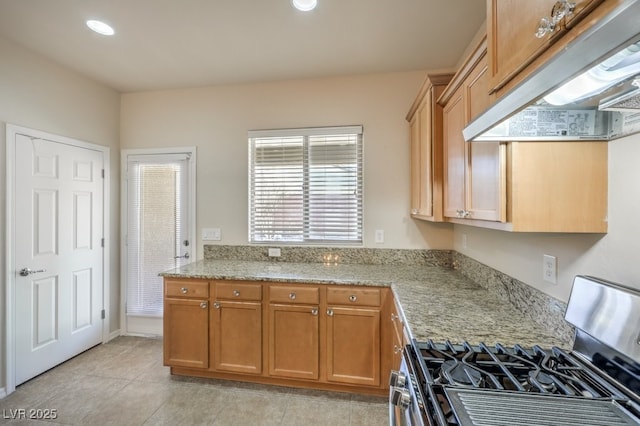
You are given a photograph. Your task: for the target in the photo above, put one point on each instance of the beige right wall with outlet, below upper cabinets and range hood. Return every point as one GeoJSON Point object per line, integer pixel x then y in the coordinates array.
{"type": "Point", "coordinates": [613, 256]}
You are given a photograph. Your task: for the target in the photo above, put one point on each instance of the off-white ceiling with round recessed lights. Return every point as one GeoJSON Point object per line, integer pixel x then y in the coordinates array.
{"type": "Point", "coordinates": [188, 43]}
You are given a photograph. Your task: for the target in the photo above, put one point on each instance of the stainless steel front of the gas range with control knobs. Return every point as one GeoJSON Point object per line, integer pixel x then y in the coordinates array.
{"type": "Point", "coordinates": [405, 402]}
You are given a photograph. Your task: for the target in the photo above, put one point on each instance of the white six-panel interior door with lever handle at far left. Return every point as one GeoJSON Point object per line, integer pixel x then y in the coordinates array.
{"type": "Point", "coordinates": [58, 261]}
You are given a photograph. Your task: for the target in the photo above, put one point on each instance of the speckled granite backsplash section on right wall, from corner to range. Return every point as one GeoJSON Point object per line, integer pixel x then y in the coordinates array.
{"type": "Point", "coordinates": [542, 308]}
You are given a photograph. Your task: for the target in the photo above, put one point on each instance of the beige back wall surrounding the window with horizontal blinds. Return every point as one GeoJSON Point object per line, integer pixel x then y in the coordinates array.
{"type": "Point", "coordinates": [216, 121]}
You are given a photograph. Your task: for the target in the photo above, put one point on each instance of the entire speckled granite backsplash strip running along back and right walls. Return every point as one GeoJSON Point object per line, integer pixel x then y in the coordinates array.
{"type": "Point", "coordinates": [540, 307]}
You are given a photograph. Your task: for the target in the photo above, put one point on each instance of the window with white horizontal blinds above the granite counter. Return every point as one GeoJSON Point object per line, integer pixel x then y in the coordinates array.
{"type": "Point", "coordinates": [306, 185]}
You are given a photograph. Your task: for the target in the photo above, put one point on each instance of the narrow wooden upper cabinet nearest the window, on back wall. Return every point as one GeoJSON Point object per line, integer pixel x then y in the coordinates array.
{"type": "Point", "coordinates": [425, 118]}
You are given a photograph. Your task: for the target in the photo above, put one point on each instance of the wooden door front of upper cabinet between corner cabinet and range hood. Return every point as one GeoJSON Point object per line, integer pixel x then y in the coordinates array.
{"type": "Point", "coordinates": [474, 185]}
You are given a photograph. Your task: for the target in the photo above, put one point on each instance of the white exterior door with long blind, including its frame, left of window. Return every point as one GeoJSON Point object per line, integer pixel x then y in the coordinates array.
{"type": "Point", "coordinates": [160, 232]}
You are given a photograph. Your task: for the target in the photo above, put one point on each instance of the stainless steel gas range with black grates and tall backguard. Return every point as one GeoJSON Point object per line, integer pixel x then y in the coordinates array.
{"type": "Point", "coordinates": [595, 383]}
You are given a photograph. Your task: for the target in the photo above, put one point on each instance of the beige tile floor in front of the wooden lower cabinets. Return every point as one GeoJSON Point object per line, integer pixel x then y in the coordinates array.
{"type": "Point", "coordinates": [124, 383]}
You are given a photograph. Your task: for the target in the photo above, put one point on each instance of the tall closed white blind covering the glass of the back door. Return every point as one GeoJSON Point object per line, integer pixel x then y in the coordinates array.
{"type": "Point", "coordinates": [155, 227]}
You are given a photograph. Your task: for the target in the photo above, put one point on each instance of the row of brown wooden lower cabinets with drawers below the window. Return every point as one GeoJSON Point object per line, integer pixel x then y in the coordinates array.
{"type": "Point", "coordinates": [316, 336]}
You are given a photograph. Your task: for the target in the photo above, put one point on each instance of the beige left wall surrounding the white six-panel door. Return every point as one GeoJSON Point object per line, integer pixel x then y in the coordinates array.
{"type": "Point", "coordinates": [37, 94]}
